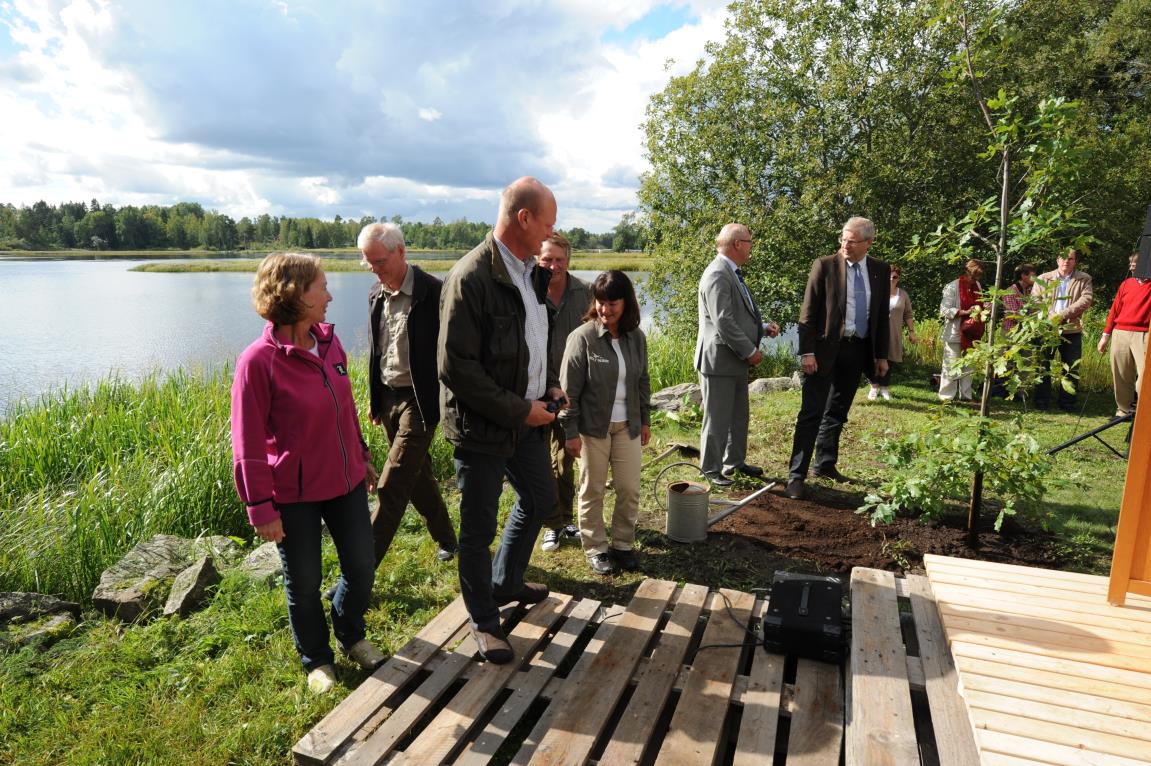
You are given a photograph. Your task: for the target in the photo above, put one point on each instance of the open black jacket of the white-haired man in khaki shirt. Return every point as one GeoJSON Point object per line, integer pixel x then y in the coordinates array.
{"type": "Point", "coordinates": [423, 331]}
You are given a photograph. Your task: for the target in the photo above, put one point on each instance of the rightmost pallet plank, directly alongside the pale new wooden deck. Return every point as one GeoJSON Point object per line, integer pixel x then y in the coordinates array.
{"type": "Point", "coordinates": [955, 739]}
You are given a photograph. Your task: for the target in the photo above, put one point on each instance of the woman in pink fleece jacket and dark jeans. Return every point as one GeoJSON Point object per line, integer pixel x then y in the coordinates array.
{"type": "Point", "coordinates": [300, 459]}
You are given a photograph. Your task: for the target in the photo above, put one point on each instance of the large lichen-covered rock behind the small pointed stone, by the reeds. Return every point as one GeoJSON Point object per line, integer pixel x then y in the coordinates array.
{"type": "Point", "coordinates": [142, 579]}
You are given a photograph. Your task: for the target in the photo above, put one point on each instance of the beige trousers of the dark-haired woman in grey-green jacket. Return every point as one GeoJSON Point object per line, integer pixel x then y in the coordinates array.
{"type": "Point", "coordinates": [624, 456]}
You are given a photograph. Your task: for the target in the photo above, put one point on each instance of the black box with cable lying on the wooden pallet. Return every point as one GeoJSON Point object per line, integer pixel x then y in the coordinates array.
{"type": "Point", "coordinates": [806, 617]}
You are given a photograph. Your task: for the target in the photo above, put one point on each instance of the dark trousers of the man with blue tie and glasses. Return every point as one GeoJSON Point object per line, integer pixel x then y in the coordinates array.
{"type": "Point", "coordinates": [827, 400]}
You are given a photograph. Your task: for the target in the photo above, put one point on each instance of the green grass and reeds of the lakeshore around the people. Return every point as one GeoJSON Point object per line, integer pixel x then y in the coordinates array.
{"type": "Point", "coordinates": [88, 474]}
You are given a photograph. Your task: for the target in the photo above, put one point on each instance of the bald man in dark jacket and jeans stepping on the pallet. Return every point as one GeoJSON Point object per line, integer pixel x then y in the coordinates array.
{"type": "Point", "coordinates": [500, 395]}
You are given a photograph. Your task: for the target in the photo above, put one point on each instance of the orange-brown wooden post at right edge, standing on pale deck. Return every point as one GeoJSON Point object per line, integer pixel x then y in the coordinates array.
{"type": "Point", "coordinates": [1131, 564]}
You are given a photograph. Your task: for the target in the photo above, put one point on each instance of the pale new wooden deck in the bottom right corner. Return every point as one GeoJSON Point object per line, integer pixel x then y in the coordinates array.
{"type": "Point", "coordinates": [1051, 673]}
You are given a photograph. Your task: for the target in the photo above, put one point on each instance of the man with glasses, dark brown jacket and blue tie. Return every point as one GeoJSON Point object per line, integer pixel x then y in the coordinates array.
{"type": "Point", "coordinates": [843, 334]}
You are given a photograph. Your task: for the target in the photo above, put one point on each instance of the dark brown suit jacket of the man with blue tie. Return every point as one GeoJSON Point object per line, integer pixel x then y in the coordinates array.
{"type": "Point", "coordinates": [822, 318]}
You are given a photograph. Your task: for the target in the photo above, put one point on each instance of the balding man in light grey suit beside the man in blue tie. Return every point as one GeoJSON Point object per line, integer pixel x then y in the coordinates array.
{"type": "Point", "coordinates": [727, 347]}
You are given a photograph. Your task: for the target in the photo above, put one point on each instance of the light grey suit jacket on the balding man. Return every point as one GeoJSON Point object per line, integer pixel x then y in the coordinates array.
{"type": "Point", "coordinates": [730, 326]}
